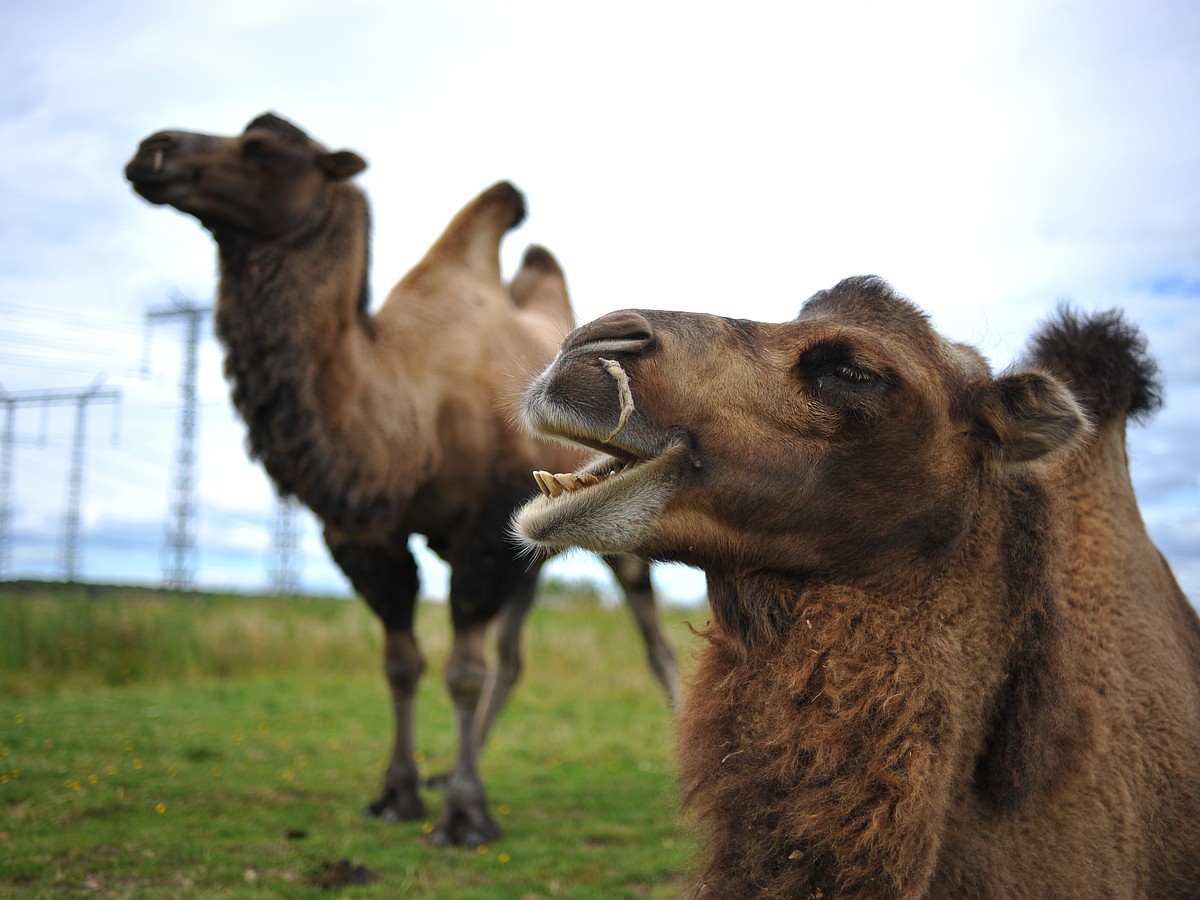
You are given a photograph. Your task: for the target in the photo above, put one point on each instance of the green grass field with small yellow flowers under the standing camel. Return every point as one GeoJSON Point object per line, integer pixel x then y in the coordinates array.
{"type": "Point", "coordinates": [166, 746]}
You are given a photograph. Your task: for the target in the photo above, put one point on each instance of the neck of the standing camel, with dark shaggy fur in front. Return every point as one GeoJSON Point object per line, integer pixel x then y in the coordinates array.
{"type": "Point", "coordinates": [292, 316]}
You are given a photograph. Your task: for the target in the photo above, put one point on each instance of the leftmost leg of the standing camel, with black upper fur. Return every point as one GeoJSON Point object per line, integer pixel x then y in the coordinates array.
{"type": "Point", "coordinates": [389, 584]}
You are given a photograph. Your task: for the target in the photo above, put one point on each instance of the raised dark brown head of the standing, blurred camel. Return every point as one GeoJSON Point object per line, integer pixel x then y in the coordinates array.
{"type": "Point", "coordinates": [266, 182]}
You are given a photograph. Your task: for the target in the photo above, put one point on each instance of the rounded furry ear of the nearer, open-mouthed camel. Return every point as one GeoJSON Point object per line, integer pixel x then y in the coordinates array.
{"type": "Point", "coordinates": [1025, 416]}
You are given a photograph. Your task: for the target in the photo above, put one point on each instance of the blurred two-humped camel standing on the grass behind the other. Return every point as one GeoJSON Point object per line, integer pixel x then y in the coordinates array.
{"type": "Point", "coordinates": [391, 424]}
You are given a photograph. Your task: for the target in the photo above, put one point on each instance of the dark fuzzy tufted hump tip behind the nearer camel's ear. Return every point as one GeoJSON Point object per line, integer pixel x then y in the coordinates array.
{"type": "Point", "coordinates": [1105, 362]}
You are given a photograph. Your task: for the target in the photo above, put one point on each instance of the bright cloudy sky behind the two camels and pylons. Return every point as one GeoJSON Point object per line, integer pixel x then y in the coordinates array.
{"type": "Point", "coordinates": [992, 160]}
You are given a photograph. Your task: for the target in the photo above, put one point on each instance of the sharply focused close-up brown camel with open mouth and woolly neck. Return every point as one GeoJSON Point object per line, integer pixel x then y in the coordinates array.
{"type": "Point", "coordinates": [945, 661]}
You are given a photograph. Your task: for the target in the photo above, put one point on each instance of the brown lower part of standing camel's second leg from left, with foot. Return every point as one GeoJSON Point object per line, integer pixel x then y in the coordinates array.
{"type": "Point", "coordinates": [465, 820]}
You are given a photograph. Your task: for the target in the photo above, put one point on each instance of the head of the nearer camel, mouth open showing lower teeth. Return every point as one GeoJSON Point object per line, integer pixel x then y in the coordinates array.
{"type": "Point", "coordinates": [850, 442]}
